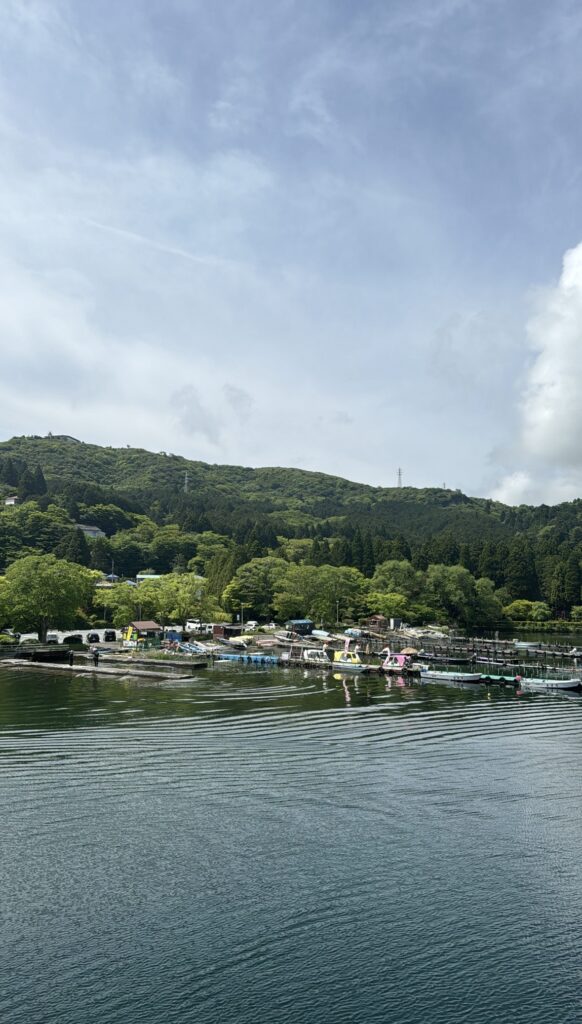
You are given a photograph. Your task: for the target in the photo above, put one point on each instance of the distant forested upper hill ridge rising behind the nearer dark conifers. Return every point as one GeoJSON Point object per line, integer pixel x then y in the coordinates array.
{"type": "Point", "coordinates": [293, 501]}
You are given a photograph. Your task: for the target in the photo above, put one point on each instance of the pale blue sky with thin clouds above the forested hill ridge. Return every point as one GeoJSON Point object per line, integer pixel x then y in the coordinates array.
{"type": "Point", "coordinates": [340, 236]}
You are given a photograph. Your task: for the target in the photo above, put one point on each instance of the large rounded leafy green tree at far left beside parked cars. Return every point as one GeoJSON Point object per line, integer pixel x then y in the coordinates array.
{"type": "Point", "coordinates": [43, 591]}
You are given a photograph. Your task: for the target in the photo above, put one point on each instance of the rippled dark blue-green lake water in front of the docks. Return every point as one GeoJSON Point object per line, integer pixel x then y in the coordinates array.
{"type": "Point", "coordinates": [256, 846]}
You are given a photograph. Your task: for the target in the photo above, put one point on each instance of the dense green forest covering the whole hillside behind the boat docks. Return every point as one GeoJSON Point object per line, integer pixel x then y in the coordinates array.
{"type": "Point", "coordinates": [284, 541]}
